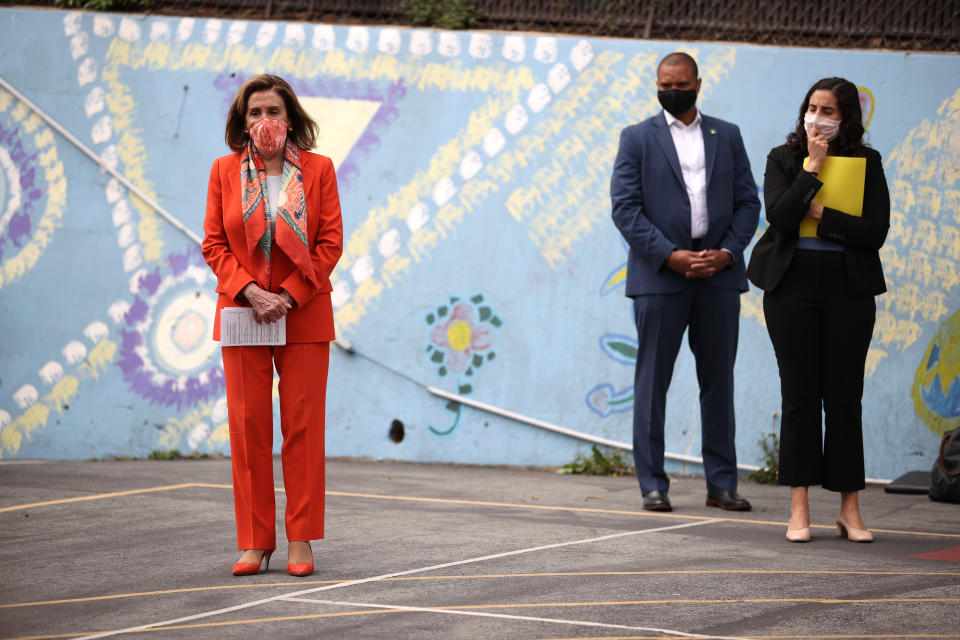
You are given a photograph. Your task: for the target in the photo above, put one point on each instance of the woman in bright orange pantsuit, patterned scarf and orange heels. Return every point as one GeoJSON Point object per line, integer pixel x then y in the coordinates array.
{"type": "Point", "coordinates": [273, 235]}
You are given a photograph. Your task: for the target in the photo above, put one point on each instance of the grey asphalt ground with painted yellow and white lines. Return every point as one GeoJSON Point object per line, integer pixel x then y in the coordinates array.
{"type": "Point", "coordinates": [145, 548]}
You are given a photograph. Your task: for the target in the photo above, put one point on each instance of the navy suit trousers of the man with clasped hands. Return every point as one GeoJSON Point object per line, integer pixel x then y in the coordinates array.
{"type": "Point", "coordinates": [712, 316]}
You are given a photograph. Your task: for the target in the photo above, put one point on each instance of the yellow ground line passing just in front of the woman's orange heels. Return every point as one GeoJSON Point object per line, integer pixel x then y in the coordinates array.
{"type": "Point", "coordinates": [484, 576]}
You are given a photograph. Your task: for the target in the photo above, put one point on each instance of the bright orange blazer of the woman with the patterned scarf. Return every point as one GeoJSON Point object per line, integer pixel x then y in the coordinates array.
{"type": "Point", "coordinates": [225, 247]}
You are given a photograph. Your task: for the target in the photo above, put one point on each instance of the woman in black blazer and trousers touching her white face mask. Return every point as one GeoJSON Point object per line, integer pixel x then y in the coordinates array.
{"type": "Point", "coordinates": [819, 304]}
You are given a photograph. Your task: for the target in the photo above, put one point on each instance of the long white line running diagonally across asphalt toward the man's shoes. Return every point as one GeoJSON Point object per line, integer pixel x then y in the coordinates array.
{"type": "Point", "coordinates": [350, 583]}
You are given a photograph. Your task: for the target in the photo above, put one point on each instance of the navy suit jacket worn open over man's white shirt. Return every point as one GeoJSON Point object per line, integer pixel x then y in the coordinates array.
{"type": "Point", "coordinates": [652, 210]}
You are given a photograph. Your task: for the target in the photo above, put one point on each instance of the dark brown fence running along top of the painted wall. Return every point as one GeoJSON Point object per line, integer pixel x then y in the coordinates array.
{"type": "Point", "coordinates": [914, 25]}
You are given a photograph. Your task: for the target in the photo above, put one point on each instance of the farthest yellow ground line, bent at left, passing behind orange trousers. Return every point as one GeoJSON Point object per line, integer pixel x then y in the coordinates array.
{"type": "Point", "coordinates": [478, 503]}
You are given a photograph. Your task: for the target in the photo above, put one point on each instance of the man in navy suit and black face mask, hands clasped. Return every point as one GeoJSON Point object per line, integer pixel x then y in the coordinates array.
{"type": "Point", "coordinates": [686, 203]}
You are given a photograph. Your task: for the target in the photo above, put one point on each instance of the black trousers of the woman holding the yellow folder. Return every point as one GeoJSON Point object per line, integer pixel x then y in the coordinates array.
{"type": "Point", "coordinates": [820, 334]}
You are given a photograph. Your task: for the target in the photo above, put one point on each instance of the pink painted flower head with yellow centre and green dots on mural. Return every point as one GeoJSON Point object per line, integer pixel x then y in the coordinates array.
{"type": "Point", "coordinates": [462, 338]}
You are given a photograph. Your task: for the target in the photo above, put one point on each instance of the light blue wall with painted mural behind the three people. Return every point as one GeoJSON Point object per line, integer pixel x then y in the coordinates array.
{"type": "Point", "coordinates": [480, 257]}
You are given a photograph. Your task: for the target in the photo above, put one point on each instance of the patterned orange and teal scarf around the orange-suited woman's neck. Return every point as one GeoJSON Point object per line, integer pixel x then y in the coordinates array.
{"type": "Point", "coordinates": [291, 214]}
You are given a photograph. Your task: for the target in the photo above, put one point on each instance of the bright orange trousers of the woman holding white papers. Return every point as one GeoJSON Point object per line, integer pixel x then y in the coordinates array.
{"type": "Point", "coordinates": [302, 368]}
